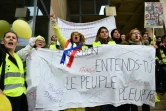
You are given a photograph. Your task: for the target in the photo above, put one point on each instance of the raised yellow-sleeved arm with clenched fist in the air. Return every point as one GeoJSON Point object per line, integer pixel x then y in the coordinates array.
{"type": "Point", "coordinates": [61, 39]}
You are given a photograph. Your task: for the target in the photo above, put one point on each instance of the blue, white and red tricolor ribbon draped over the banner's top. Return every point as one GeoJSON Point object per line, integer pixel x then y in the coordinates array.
{"type": "Point", "coordinates": [69, 53]}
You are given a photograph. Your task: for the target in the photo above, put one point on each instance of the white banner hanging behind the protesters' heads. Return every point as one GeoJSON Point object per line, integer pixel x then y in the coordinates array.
{"type": "Point", "coordinates": [89, 30]}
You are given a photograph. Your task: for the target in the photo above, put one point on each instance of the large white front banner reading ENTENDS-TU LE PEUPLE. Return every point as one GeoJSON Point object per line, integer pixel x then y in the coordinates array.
{"type": "Point", "coordinates": [110, 74]}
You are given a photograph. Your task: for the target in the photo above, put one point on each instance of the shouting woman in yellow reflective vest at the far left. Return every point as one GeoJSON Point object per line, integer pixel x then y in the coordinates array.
{"type": "Point", "coordinates": [12, 73]}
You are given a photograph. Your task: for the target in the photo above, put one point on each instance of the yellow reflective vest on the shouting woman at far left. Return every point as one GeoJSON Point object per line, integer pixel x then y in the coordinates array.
{"type": "Point", "coordinates": [14, 77]}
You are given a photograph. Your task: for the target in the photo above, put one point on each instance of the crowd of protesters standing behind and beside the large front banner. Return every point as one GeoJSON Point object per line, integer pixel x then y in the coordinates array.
{"type": "Point", "coordinates": [12, 67]}
